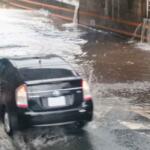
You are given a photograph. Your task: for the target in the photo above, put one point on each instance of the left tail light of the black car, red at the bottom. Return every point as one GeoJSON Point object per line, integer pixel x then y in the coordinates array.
{"type": "Point", "coordinates": [21, 96]}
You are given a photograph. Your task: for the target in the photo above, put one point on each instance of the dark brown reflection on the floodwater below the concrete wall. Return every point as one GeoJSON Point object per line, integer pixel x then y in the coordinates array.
{"type": "Point", "coordinates": [116, 61]}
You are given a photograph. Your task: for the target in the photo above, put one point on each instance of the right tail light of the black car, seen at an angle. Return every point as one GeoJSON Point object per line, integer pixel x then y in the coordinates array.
{"type": "Point", "coordinates": [86, 91]}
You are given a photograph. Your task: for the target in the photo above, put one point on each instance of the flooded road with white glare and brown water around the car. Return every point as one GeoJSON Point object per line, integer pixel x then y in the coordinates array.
{"type": "Point", "coordinates": [117, 70]}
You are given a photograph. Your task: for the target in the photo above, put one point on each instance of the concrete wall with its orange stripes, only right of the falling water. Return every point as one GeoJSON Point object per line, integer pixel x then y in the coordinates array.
{"type": "Point", "coordinates": [122, 16]}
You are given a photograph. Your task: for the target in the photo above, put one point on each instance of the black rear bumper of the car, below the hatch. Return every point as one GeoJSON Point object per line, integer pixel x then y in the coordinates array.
{"type": "Point", "coordinates": [60, 117]}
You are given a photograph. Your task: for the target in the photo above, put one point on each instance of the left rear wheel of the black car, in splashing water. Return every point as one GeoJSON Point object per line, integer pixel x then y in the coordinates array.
{"type": "Point", "coordinates": [10, 123]}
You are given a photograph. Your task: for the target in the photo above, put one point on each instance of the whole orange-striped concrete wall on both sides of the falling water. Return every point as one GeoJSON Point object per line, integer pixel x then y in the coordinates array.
{"type": "Point", "coordinates": [120, 16]}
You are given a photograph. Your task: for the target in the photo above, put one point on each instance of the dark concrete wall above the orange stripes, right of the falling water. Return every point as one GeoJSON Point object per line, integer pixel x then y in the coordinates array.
{"type": "Point", "coordinates": [125, 9]}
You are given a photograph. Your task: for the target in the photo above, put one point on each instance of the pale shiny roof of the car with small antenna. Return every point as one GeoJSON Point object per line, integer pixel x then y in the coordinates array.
{"type": "Point", "coordinates": [51, 61]}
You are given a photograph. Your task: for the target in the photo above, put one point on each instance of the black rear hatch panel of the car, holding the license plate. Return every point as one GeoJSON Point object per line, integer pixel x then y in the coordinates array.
{"type": "Point", "coordinates": [54, 94]}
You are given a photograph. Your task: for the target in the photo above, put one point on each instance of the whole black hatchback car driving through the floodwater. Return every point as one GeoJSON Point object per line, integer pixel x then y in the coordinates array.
{"type": "Point", "coordinates": [42, 92]}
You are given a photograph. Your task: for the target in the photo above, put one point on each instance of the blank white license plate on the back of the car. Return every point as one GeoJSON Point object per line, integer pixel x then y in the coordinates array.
{"type": "Point", "coordinates": [56, 101]}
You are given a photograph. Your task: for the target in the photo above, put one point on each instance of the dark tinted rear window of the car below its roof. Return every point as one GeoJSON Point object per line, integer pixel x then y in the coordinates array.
{"type": "Point", "coordinates": [44, 73]}
